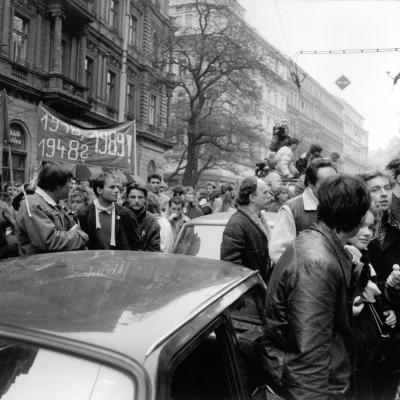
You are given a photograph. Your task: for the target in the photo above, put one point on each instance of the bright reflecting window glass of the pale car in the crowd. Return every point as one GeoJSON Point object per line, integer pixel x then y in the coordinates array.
{"type": "Point", "coordinates": [201, 241]}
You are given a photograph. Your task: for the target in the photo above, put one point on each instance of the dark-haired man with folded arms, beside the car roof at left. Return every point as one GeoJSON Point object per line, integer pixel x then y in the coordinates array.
{"type": "Point", "coordinates": [43, 224]}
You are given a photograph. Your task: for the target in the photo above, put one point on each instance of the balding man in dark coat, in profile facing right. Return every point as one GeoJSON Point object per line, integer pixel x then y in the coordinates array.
{"type": "Point", "coordinates": [245, 238]}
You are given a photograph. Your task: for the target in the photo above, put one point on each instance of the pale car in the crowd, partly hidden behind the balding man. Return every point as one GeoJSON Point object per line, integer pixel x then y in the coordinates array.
{"type": "Point", "coordinates": [202, 236]}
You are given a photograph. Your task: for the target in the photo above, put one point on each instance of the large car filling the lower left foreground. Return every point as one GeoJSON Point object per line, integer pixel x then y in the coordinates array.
{"type": "Point", "coordinates": [128, 325]}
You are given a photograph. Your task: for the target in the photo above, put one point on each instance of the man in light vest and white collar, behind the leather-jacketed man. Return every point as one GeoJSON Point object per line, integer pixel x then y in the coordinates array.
{"type": "Point", "coordinates": [299, 212]}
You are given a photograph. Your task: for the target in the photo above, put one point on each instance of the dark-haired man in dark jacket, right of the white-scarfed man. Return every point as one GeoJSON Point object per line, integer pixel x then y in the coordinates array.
{"type": "Point", "coordinates": [148, 228]}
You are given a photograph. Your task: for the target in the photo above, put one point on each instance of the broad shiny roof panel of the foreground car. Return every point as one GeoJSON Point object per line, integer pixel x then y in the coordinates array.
{"type": "Point", "coordinates": [122, 301]}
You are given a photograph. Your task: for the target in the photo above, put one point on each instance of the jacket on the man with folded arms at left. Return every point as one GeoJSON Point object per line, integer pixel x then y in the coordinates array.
{"type": "Point", "coordinates": [46, 227]}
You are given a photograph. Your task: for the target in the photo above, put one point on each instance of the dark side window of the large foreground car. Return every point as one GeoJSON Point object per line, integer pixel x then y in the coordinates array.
{"type": "Point", "coordinates": [205, 369]}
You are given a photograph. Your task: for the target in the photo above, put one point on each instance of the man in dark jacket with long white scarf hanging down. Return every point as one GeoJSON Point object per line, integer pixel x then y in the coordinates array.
{"type": "Point", "coordinates": [109, 225]}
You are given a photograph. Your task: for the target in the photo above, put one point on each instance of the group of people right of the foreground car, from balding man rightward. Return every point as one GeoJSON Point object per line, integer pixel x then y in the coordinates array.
{"type": "Point", "coordinates": [331, 264]}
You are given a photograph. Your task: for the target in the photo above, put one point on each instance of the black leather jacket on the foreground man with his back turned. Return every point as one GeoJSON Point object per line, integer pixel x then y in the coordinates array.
{"type": "Point", "coordinates": [307, 291]}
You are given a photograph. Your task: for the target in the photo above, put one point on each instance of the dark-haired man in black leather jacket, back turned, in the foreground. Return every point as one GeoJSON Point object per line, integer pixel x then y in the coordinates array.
{"type": "Point", "coordinates": [307, 344]}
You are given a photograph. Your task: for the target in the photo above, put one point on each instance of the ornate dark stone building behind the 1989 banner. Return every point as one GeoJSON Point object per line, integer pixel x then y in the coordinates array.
{"type": "Point", "coordinates": [93, 61]}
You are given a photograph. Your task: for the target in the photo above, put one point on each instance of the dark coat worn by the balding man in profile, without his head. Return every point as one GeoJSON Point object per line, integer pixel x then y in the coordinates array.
{"type": "Point", "coordinates": [244, 243]}
